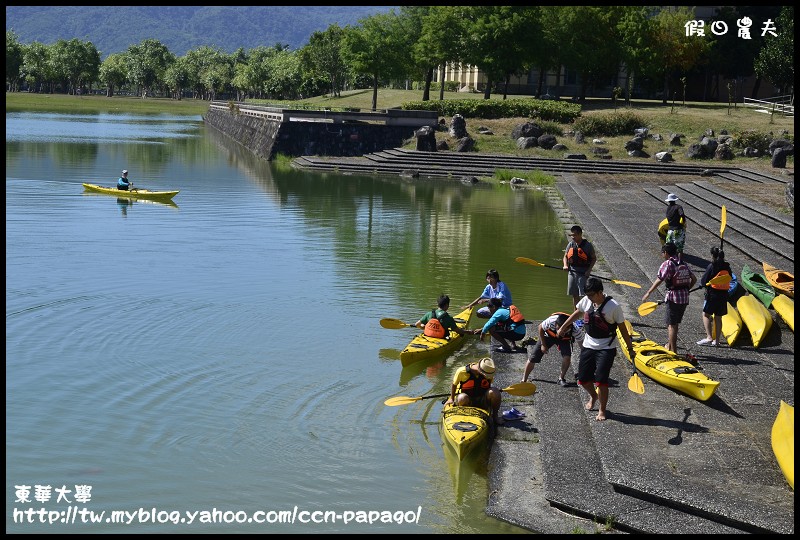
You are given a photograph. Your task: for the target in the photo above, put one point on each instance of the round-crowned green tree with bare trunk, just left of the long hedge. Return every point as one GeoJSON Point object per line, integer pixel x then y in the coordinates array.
{"type": "Point", "coordinates": [378, 48]}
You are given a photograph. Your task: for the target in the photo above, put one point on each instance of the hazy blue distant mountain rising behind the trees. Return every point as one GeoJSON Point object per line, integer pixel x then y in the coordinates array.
{"type": "Point", "coordinates": [113, 29]}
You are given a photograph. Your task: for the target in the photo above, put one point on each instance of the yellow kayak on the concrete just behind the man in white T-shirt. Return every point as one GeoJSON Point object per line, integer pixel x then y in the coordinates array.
{"type": "Point", "coordinates": [668, 368]}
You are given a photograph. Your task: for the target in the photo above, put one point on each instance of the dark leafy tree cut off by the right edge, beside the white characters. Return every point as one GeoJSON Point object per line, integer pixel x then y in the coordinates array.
{"type": "Point", "coordinates": [775, 62]}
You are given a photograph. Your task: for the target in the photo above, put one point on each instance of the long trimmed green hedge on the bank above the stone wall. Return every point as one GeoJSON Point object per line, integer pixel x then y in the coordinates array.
{"type": "Point", "coordinates": [563, 112]}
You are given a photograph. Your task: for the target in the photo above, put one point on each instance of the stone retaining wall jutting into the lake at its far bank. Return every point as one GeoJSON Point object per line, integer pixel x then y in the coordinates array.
{"type": "Point", "coordinates": [266, 137]}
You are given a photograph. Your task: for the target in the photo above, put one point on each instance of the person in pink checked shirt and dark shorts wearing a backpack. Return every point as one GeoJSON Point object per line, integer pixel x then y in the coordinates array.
{"type": "Point", "coordinates": [679, 278]}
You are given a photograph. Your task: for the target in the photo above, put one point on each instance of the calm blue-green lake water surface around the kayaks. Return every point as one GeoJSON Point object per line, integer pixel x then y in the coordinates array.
{"type": "Point", "coordinates": [224, 352]}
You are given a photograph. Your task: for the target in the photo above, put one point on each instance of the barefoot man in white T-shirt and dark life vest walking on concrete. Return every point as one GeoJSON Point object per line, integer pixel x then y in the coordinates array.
{"type": "Point", "coordinates": [601, 317]}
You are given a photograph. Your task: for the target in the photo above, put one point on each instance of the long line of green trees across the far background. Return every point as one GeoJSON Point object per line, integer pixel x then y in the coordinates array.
{"type": "Point", "coordinates": [649, 43]}
